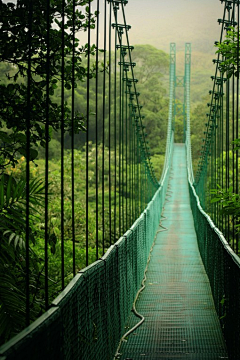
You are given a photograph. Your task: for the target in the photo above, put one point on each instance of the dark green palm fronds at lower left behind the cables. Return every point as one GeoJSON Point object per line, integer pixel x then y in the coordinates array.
{"type": "Point", "coordinates": [13, 253]}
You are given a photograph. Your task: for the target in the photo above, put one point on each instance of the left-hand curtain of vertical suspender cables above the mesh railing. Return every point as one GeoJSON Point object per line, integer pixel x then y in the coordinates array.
{"type": "Point", "coordinates": [75, 165]}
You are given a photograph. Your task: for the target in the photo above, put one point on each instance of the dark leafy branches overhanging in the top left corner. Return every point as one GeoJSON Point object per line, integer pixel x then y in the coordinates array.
{"type": "Point", "coordinates": [39, 59]}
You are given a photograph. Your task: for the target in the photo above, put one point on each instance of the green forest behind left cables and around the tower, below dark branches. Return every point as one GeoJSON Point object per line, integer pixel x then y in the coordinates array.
{"type": "Point", "coordinates": [152, 67]}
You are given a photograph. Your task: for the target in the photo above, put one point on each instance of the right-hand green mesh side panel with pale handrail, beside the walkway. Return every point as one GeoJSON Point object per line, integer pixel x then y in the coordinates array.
{"type": "Point", "coordinates": [223, 268]}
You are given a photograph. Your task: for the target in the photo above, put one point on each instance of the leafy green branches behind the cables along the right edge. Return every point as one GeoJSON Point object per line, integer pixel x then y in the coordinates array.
{"type": "Point", "coordinates": [226, 195]}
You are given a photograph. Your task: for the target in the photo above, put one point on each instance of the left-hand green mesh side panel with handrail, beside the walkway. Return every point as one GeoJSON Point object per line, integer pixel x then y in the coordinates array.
{"type": "Point", "coordinates": [86, 321]}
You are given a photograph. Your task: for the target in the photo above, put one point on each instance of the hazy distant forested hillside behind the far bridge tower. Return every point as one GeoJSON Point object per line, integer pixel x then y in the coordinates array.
{"type": "Point", "coordinates": [152, 74]}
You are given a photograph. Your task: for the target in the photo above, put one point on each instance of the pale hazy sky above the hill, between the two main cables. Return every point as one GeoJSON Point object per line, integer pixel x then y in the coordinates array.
{"type": "Point", "coordinates": [159, 22]}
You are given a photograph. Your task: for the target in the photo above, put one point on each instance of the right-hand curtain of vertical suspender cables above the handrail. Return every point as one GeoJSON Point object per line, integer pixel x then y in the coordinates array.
{"type": "Point", "coordinates": [217, 178]}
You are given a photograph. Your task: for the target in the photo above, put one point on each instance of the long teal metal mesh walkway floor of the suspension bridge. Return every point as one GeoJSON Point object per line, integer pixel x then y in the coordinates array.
{"type": "Point", "coordinates": [180, 318]}
